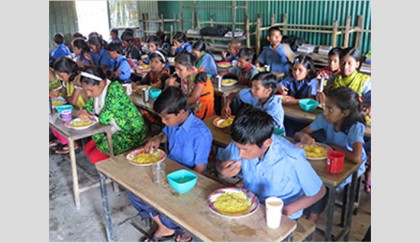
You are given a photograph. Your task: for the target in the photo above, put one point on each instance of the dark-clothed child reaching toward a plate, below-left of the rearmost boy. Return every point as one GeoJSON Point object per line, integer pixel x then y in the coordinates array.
{"type": "Point", "coordinates": [244, 71]}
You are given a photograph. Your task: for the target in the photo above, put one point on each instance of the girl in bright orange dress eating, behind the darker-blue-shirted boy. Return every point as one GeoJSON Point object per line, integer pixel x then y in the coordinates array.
{"type": "Point", "coordinates": [195, 83]}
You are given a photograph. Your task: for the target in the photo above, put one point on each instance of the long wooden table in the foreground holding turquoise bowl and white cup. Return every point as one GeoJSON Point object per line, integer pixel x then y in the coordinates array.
{"type": "Point", "coordinates": [189, 210]}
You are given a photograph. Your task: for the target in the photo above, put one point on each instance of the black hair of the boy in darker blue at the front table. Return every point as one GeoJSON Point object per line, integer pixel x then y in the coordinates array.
{"type": "Point", "coordinates": [172, 100]}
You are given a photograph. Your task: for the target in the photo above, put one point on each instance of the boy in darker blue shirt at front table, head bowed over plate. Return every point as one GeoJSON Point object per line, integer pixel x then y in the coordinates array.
{"type": "Point", "coordinates": [189, 141]}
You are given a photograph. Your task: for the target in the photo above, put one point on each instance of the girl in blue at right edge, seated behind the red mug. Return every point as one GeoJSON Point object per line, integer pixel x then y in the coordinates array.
{"type": "Point", "coordinates": [343, 124]}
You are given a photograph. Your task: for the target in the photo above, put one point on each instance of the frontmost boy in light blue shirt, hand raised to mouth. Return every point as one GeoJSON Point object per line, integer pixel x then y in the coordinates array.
{"type": "Point", "coordinates": [269, 165]}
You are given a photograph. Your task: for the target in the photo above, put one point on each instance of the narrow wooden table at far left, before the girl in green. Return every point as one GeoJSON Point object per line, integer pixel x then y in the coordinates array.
{"type": "Point", "coordinates": [71, 135]}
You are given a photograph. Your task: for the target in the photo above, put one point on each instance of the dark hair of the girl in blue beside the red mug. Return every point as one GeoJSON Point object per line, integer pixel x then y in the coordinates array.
{"type": "Point", "coordinates": [347, 99]}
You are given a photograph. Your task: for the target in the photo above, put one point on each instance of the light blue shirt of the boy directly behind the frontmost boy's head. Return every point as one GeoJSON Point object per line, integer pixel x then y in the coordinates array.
{"type": "Point", "coordinates": [273, 106]}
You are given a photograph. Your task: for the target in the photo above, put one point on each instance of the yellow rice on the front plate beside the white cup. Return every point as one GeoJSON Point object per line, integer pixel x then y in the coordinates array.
{"type": "Point", "coordinates": [233, 203]}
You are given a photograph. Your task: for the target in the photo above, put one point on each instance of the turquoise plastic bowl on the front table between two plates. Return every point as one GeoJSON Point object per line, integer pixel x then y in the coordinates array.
{"type": "Point", "coordinates": [182, 180]}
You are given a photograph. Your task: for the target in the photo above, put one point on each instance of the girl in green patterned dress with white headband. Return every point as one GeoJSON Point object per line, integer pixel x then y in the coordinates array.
{"type": "Point", "coordinates": [110, 103]}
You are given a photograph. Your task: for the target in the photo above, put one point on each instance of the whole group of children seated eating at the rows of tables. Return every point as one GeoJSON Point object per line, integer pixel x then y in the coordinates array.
{"type": "Point", "coordinates": [97, 77]}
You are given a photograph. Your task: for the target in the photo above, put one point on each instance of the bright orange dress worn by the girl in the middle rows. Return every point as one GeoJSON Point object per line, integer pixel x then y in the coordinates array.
{"type": "Point", "coordinates": [204, 107]}
